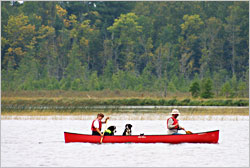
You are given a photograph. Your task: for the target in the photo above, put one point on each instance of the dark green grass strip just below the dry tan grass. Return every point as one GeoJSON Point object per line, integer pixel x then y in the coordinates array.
{"type": "Point", "coordinates": [19, 103]}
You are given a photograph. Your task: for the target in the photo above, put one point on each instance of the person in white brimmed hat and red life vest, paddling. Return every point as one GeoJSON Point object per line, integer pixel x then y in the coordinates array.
{"type": "Point", "coordinates": [172, 123]}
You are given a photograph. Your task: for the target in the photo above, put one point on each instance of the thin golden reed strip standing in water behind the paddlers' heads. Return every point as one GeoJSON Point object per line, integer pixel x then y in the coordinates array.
{"type": "Point", "coordinates": [86, 112]}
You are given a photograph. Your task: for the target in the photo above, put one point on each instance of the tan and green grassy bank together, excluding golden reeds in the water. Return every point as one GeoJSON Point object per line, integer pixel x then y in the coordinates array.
{"type": "Point", "coordinates": [84, 101]}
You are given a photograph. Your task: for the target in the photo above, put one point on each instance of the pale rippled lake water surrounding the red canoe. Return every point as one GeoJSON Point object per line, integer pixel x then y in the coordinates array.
{"type": "Point", "coordinates": [40, 143]}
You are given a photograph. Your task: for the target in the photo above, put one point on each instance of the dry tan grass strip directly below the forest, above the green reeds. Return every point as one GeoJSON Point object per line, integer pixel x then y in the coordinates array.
{"type": "Point", "coordinates": [91, 94]}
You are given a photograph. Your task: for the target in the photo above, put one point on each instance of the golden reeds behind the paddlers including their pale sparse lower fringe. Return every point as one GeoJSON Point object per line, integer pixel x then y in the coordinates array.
{"type": "Point", "coordinates": [160, 114]}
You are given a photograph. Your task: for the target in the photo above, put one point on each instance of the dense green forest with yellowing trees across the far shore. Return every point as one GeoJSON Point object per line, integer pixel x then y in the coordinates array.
{"type": "Point", "coordinates": [171, 47]}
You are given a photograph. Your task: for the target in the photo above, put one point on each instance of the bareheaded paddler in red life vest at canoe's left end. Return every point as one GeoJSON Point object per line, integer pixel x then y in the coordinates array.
{"type": "Point", "coordinates": [96, 125]}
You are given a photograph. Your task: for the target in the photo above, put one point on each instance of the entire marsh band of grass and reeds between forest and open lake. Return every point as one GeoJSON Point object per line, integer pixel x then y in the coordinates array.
{"type": "Point", "coordinates": [59, 105]}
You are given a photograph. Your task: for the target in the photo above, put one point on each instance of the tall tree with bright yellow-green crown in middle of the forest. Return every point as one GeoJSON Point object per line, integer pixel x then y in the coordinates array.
{"type": "Point", "coordinates": [125, 32]}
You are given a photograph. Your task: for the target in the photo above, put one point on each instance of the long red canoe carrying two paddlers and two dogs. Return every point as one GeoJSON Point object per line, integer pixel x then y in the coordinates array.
{"type": "Point", "coordinates": [202, 137]}
